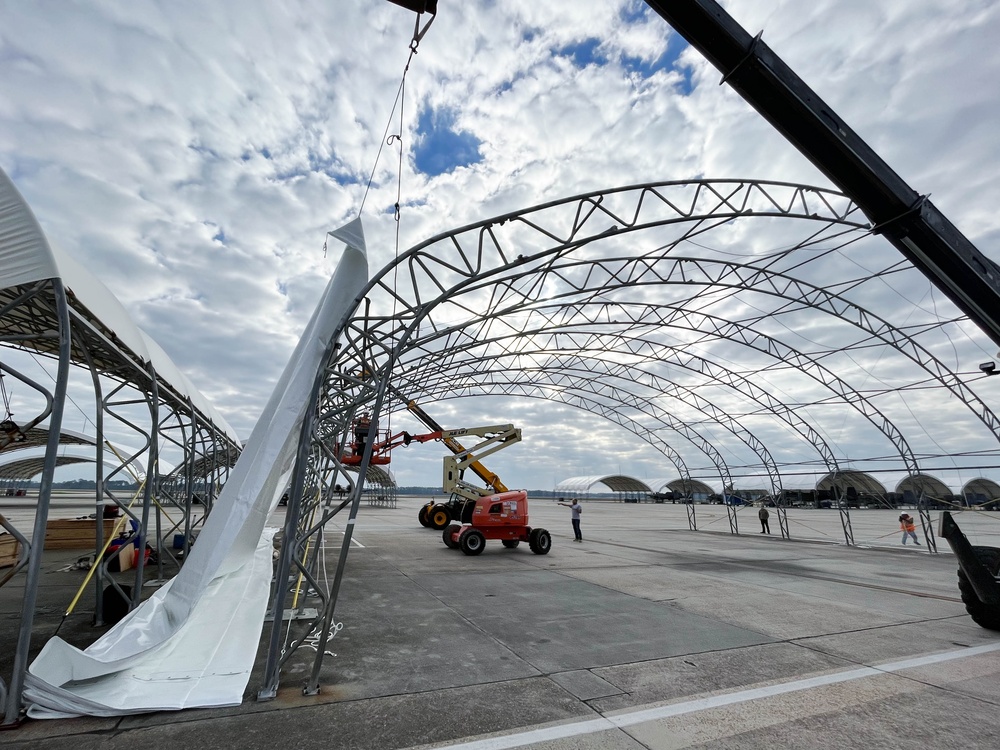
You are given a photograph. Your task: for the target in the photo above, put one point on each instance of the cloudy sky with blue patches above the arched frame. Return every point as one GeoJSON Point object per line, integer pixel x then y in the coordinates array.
{"type": "Point", "coordinates": [194, 155]}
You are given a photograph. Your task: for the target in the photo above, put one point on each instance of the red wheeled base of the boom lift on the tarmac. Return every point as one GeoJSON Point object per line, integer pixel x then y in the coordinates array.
{"type": "Point", "coordinates": [504, 517]}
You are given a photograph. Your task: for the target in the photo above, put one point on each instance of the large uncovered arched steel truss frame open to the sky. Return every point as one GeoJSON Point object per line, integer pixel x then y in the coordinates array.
{"type": "Point", "coordinates": [658, 307]}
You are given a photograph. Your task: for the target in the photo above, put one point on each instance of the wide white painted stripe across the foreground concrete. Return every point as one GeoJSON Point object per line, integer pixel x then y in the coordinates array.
{"type": "Point", "coordinates": [631, 718]}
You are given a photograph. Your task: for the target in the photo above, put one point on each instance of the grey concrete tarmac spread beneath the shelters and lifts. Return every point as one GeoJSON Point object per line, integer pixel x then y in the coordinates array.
{"type": "Point", "coordinates": [646, 635]}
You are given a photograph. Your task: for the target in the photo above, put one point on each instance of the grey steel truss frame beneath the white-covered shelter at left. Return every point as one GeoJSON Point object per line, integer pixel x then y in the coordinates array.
{"type": "Point", "coordinates": [134, 406]}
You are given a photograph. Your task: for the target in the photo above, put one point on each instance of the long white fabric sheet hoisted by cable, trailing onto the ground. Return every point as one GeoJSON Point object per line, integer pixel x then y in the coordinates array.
{"type": "Point", "coordinates": [192, 644]}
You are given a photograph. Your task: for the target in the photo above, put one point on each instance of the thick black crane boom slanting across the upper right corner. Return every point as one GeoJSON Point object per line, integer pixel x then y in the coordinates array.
{"type": "Point", "coordinates": [908, 220]}
